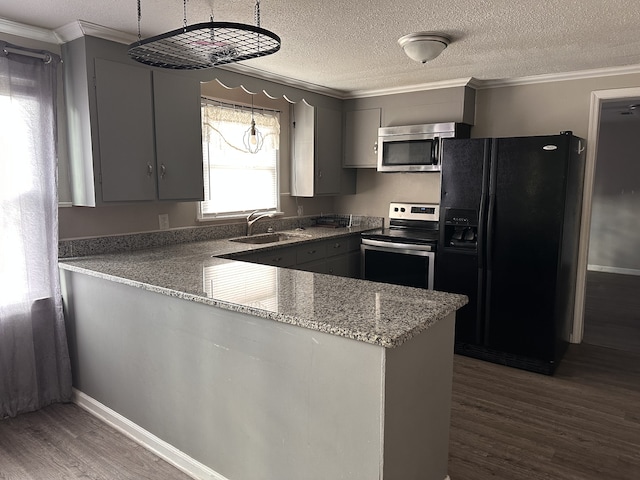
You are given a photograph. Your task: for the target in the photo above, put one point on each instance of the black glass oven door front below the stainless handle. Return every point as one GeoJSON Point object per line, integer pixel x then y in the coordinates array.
{"type": "Point", "coordinates": [412, 270]}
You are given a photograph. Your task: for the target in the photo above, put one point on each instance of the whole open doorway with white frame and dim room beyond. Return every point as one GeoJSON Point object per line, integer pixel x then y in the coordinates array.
{"type": "Point", "coordinates": [609, 315]}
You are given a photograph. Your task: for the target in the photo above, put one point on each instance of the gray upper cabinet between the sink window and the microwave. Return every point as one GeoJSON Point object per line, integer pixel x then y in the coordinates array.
{"type": "Point", "coordinates": [316, 164]}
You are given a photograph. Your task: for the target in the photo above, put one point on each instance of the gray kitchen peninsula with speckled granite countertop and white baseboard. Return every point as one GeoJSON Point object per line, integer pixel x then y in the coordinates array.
{"type": "Point", "coordinates": [253, 371]}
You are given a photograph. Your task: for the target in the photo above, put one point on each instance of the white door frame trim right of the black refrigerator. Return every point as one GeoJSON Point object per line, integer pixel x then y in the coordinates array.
{"type": "Point", "coordinates": [598, 97]}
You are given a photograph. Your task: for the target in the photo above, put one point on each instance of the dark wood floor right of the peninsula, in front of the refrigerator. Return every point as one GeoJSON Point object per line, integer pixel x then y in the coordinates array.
{"type": "Point", "coordinates": [581, 424]}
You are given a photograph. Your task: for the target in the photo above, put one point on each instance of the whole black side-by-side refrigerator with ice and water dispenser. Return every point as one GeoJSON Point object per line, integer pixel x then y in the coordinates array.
{"type": "Point", "coordinates": [510, 213]}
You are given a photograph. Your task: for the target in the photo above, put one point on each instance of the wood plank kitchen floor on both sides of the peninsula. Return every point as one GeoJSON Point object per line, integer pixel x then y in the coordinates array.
{"type": "Point", "coordinates": [507, 424]}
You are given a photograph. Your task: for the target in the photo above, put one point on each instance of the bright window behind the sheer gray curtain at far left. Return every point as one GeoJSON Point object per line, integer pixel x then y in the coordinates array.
{"type": "Point", "coordinates": [26, 182]}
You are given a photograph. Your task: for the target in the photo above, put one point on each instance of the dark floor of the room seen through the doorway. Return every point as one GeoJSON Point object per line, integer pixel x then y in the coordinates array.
{"type": "Point", "coordinates": [612, 311]}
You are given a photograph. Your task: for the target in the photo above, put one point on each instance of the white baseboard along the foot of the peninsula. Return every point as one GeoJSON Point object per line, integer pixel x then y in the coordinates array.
{"type": "Point", "coordinates": [159, 447]}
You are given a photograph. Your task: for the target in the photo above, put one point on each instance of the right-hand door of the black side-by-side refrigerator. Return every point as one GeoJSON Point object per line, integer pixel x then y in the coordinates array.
{"type": "Point", "coordinates": [525, 219]}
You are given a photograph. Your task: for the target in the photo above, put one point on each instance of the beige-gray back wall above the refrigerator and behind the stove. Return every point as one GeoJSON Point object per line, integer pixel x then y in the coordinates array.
{"type": "Point", "coordinates": [520, 110]}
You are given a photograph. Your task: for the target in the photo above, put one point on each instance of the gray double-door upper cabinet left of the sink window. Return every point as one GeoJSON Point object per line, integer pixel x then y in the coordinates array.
{"type": "Point", "coordinates": [134, 132]}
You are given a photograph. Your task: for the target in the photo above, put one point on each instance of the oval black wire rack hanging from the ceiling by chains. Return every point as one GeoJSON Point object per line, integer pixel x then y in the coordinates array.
{"type": "Point", "coordinates": [205, 45]}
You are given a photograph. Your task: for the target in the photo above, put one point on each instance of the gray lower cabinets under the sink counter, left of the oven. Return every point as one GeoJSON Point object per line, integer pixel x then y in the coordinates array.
{"type": "Point", "coordinates": [340, 256]}
